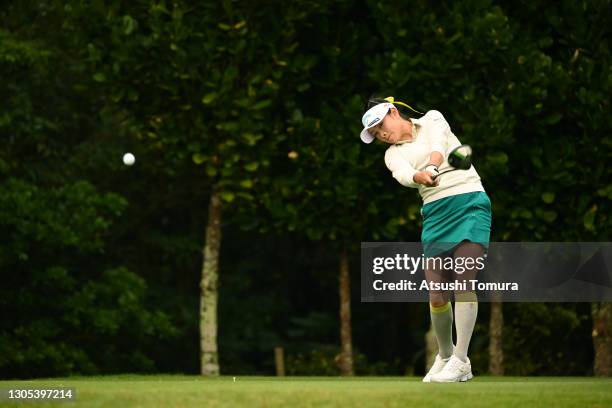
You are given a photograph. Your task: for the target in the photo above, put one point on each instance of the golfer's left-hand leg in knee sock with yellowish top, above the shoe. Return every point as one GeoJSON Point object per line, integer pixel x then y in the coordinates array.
{"type": "Point", "coordinates": [441, 313]}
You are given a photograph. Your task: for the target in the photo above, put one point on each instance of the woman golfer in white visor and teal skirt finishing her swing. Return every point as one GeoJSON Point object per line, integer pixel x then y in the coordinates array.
{"type": "Point", "coordinates": [456, 220]}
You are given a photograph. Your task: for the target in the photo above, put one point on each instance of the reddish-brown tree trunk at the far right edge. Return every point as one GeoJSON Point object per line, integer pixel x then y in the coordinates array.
{"type": "Point", "coordinates": [602, 338]}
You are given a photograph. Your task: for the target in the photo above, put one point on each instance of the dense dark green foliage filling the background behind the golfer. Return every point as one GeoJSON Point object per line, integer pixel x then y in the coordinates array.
{"type": "Point", "coordinates": [100, 263]}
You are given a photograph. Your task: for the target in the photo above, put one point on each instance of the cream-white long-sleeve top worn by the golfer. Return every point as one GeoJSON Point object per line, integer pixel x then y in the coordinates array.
{"type": "Point", "coordinates": [431, 133]}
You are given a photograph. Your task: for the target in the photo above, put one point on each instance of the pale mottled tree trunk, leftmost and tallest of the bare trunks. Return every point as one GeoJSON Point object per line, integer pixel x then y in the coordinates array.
{"type": "Point", "coordinates": [209, 358]}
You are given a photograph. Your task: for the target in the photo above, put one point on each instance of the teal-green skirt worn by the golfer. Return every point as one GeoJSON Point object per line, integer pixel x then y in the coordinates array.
{"type": "Point", "coordinates": [451, 220]}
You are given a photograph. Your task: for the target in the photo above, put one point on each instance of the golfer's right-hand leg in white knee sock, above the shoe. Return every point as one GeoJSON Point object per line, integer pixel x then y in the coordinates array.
{"type": "Point", "coordinates": [466, 302]}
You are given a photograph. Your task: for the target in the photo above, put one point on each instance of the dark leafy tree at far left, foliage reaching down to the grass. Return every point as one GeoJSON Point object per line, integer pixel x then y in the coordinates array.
{"type": "Point", "coordinates": [68, 307]}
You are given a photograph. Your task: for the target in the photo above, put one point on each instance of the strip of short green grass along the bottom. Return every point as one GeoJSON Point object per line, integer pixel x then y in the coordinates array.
{"type": "Point", "coordinates": [193, 391]}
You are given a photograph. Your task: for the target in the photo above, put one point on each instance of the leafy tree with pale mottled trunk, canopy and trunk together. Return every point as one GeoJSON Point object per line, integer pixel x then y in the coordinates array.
{"type": "Point", "coordinates": [199, 82]}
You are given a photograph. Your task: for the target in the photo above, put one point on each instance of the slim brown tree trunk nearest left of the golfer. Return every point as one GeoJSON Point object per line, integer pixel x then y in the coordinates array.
{"type": "Point", "coordinates": [346, 354]}
